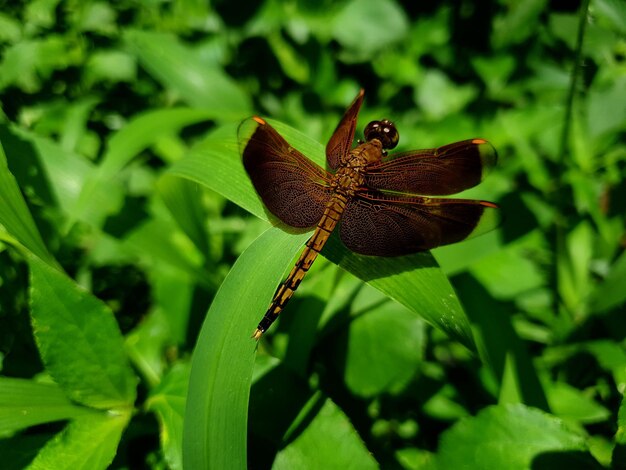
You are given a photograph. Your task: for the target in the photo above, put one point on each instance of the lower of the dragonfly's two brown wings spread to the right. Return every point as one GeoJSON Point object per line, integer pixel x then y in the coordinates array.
{"type": "Point", "coordinates": [387, 225]}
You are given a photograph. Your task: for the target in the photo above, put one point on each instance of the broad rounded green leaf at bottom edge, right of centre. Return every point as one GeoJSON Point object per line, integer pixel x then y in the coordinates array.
{"type": "Point", "coordinates": [507, 437]}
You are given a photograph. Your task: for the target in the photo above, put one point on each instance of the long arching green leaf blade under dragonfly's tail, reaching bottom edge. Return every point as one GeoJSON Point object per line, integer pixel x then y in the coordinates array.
{"type": "Point", "coordinates": [217, 404]}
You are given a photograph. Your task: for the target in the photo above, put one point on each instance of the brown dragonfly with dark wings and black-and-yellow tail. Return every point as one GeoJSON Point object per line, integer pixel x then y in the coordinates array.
{"type": "Point", "coordinates": [381, 204]}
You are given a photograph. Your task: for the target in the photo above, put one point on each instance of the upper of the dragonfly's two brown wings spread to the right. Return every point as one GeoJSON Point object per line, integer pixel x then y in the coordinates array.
{"type": "Point", "coordinates": [435, 172]}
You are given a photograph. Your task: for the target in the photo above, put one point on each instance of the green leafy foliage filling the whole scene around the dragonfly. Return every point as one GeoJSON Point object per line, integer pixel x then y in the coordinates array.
{"type": "Point", "coordinates": [136, 258]}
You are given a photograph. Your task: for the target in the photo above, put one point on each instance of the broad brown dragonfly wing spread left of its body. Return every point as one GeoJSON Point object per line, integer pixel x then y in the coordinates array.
{"type": "Point", "coordinates": [290, 185]}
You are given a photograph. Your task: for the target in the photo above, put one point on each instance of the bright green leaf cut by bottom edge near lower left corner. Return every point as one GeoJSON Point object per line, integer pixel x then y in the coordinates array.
{"type": "Point", "coordinates": [87, 443]}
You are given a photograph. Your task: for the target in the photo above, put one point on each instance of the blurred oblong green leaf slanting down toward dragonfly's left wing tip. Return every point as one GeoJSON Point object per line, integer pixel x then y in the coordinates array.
{"type": "Point", "coordinates": [178, 67]}
